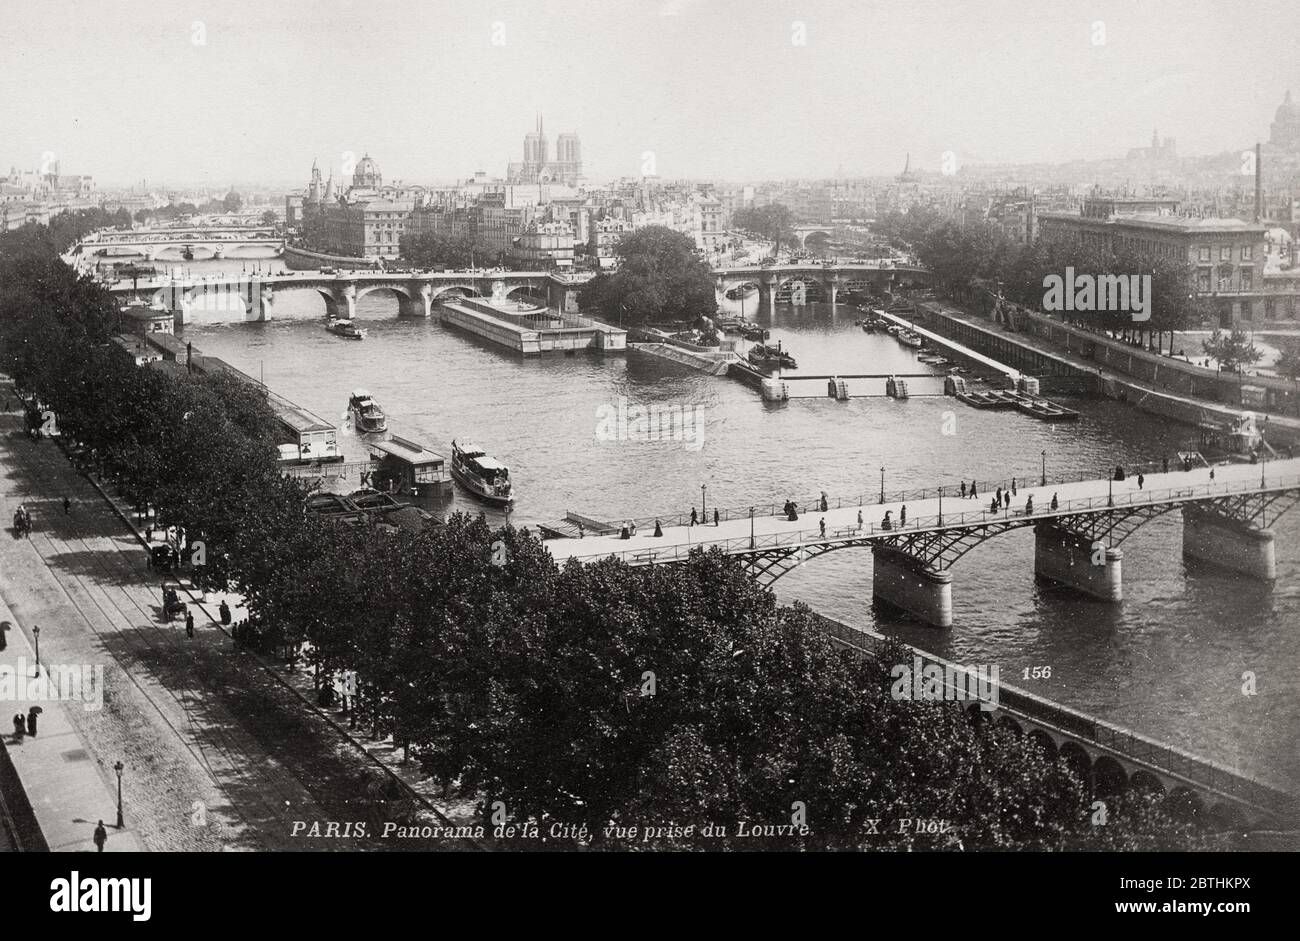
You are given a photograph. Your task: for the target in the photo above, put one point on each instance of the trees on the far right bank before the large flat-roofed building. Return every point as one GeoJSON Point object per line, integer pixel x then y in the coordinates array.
{"type": "Point", "coordinates": [970, 258]}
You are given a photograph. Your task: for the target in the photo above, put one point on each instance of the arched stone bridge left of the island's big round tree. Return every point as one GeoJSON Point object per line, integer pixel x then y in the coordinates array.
{"type": "Point", "coordinates": [417, 293]}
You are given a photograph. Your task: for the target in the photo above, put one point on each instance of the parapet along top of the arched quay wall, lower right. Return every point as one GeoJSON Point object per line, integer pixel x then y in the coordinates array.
{"type": "Point", "coordinates": [1163, 758]}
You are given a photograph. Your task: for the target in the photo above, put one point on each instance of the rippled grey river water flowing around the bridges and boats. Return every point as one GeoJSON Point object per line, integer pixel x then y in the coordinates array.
{"type": "Point", "coordinates": [1168, 662]}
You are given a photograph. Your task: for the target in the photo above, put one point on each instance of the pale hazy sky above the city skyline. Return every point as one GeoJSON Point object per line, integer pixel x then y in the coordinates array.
{"type": "Point", "coordinates": [713, 89]}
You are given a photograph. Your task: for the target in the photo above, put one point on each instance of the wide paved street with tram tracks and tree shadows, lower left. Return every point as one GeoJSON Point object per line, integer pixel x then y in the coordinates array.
{"type": "Point", "coordinates": [219, 756]}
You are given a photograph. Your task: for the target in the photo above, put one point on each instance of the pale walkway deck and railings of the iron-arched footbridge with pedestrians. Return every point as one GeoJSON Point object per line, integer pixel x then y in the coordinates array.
{"type": "Point", "coordinates": [809, 539]}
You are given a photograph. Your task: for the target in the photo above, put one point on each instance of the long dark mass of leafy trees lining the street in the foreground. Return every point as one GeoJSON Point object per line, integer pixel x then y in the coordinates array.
{"type": "Point", "coordinates": [597, 696]}
